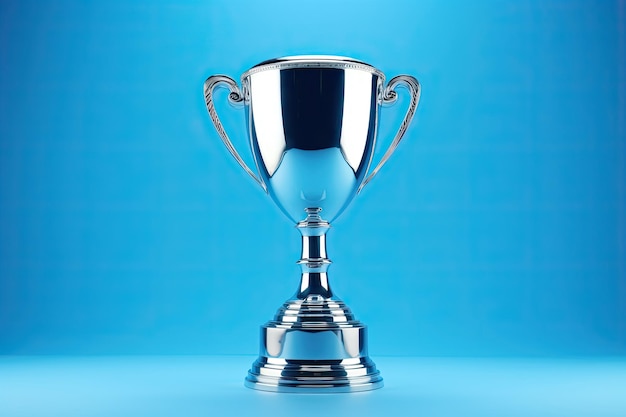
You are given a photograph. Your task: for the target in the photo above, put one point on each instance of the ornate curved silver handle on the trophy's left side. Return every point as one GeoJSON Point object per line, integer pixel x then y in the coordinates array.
{"type": "Point", "coordinates": [235, 96]}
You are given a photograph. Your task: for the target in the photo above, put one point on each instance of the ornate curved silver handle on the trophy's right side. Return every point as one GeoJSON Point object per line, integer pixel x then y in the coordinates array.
{"type": "Point", "coordinates": [389, 97]}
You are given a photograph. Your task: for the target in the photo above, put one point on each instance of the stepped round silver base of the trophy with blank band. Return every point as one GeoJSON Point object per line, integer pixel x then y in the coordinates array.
{"type": "Point", "coordinates": [314, 346]}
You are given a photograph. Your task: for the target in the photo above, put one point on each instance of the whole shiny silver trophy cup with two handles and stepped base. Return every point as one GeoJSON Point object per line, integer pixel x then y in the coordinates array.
{"type": "Point", "coordinates": [312, 128]}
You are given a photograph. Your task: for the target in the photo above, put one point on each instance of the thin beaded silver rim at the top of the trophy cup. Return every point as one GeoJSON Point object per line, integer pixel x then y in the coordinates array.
{"type": "Point", "coordinates": [313, 61]}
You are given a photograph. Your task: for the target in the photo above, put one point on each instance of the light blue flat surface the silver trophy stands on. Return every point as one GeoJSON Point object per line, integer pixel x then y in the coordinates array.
{"type": "Point", "coordinates": [213, 386]}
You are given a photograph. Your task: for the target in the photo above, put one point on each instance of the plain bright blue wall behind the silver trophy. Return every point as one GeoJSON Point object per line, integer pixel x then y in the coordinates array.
{"type": "Point", "coordinates": [498, 228]}
